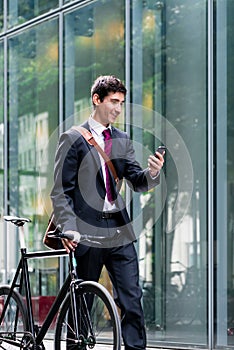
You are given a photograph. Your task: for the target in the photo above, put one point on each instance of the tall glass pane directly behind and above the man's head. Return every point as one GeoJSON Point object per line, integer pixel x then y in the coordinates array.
{"type": "Point", "coordinates": [89, 52]}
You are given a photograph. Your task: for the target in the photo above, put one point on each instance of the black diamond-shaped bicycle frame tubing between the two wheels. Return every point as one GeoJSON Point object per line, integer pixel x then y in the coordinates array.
{"type": "Point", "coordinates": [23, 273]}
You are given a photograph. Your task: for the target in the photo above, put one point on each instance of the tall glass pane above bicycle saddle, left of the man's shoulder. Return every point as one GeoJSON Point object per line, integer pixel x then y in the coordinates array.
{"type": "Point", "coordinates": [33, 118]}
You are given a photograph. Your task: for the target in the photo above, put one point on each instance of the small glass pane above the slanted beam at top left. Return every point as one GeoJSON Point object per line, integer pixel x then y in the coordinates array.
{"type": "Point", "coordinates": [24, 10]}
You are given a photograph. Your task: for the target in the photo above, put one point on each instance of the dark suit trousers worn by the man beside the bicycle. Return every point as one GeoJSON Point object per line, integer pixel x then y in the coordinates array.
{"type": "Point", "coordinates": [122, 266]}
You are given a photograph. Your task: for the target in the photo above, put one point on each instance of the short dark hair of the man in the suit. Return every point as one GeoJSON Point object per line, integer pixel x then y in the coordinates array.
{"type": "Point", "coordinates": [105, 84]}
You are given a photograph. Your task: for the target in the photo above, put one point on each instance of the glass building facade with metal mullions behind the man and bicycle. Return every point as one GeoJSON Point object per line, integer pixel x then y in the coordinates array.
{"type": "Point", "coordinates": [175, 57]}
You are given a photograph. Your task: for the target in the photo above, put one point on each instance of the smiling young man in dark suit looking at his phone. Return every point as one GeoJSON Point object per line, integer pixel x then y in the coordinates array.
{"type": "Point", "coordinates": [87, 201]}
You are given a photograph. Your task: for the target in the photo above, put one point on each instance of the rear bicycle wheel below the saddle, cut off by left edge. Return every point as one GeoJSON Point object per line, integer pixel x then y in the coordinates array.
{"type": "Point", "coordinates": [14, 324]}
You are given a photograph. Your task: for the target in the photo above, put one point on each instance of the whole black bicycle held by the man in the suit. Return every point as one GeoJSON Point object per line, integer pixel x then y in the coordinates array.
{"type": "Point", "coordinates": [87, 316]}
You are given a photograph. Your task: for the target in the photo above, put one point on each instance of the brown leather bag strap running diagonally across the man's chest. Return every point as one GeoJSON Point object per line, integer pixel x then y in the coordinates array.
{"type": "Point", "coordinates": [90, 139]}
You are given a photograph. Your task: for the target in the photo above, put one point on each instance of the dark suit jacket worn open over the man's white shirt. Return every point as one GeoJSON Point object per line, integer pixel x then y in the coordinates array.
{"type": "Point", "coordinates": [79, 190]}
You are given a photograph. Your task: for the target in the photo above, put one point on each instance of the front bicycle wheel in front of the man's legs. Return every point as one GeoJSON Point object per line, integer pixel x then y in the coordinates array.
{"type": "Point", "coordinates": [104, 318]}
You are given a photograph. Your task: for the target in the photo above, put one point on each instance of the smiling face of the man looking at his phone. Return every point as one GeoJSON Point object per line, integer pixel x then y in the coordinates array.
{"type": "Point", "coordinates": [109, 109]}
